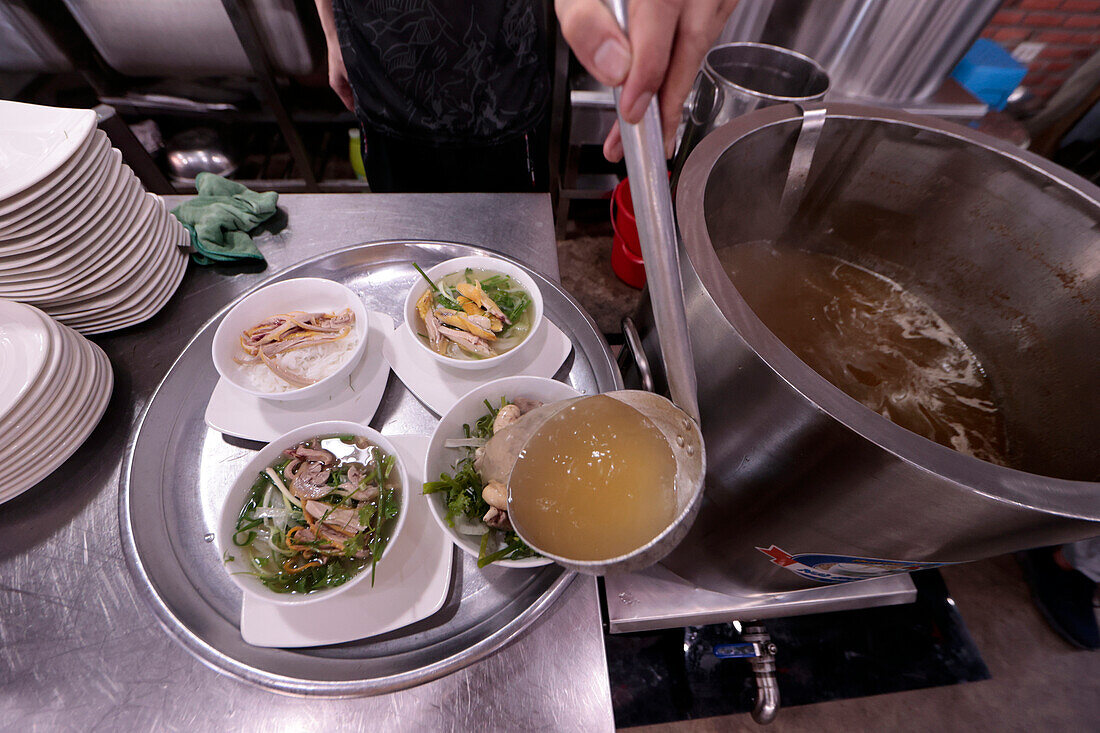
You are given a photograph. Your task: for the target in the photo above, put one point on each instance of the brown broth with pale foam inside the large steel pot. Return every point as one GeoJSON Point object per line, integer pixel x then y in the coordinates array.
{"type": "Point", "coordinates": [876, 342]}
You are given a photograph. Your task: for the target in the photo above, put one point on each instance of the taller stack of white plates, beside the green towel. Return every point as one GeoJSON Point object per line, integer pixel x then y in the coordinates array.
{"type": "Point", "coordinates": [80, 237]}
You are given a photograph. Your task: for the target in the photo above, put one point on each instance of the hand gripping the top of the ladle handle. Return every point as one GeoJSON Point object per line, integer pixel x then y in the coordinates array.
{"type": "Point", "coordinates": [668, 41]}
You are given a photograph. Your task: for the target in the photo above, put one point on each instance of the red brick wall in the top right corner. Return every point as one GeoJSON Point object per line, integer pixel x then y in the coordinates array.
{"type": "Point", "coordinates": [1070, 29]}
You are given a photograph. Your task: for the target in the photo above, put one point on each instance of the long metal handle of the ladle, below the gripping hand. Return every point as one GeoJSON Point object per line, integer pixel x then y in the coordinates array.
{"type": "Point", "coordinates": [644, 150]}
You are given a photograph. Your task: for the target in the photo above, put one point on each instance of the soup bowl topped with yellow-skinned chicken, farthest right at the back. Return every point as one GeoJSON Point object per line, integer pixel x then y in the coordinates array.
{"type": "Point", "coordinates": [474, 313]}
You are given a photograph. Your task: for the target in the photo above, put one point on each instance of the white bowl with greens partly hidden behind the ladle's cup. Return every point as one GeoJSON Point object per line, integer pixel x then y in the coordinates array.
{"type": "Point", "coordinates": [452, 488]}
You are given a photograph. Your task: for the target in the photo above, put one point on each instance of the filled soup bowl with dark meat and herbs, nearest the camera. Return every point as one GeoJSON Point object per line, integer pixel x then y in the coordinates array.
{"type": "Point", "coordinates": [314, 513]}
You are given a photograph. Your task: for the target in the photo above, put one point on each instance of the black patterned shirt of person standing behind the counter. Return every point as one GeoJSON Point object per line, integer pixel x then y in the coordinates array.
{"type": "Point", "coordinates": [466, 72]}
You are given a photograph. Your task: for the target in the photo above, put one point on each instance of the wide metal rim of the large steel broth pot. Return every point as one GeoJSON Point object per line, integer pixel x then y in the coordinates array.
{"type": "Point", "coordinates": [1061, 497]}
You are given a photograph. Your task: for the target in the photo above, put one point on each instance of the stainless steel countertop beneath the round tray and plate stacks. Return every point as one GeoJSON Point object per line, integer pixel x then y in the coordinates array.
{"type": "Point", "coordinates": [80, 650]}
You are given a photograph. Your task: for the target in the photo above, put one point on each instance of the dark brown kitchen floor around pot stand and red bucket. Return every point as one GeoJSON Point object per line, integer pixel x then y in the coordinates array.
{"type": "Point", "coordinates": [1039, 683]}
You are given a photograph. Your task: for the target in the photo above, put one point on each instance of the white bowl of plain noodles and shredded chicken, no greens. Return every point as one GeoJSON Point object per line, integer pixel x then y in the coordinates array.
{"type": "Point", "coordinates": [292, 341]}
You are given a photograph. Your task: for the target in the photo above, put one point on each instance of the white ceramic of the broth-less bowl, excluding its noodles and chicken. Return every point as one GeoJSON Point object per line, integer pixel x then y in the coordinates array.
{"type": "Point", "coordinates": [312, 294]}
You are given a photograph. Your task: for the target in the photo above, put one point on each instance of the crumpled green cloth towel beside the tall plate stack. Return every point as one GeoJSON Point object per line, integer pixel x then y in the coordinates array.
{"type": "Point", "coordinates": [221, 217]}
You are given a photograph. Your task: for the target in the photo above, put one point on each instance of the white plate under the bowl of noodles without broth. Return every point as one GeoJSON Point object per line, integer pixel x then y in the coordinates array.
{"type": "Point", "coordinates": [240, 414]}
